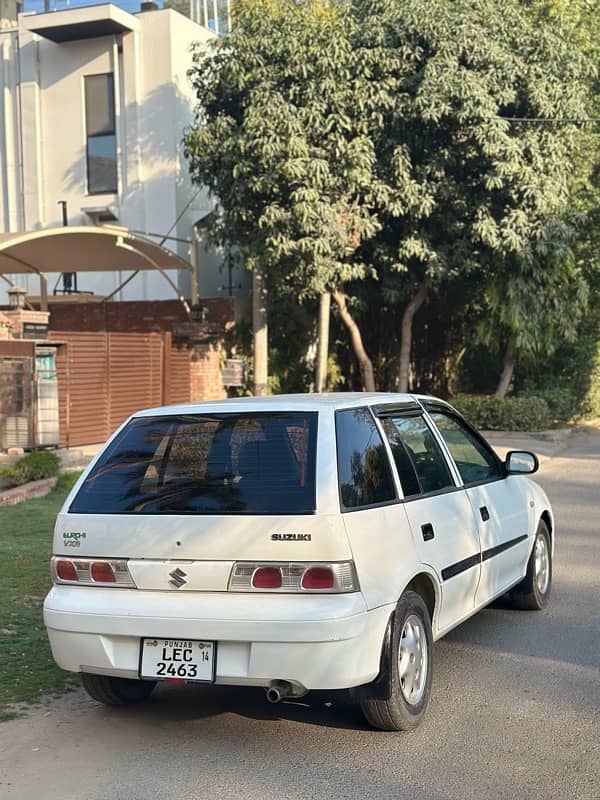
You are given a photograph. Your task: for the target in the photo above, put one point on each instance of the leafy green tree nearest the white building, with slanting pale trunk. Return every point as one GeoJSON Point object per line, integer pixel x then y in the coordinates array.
{"type": "Point", "coordinates": [279, 141]}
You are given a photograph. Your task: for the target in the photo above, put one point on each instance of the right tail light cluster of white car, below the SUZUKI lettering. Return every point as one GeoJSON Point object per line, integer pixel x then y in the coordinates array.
{"type": "Point", "coordinates": [293, 577]}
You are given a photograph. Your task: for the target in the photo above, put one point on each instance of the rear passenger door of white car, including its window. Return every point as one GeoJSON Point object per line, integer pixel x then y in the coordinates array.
{"type": "Point", "coordinates": [441, 518]}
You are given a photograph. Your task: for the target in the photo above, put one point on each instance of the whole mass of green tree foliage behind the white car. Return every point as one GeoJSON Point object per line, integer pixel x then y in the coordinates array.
{"type": "Point", "coordinates": [393, 152]}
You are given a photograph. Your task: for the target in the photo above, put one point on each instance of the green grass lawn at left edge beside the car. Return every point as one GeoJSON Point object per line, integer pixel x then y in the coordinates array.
{"type": "Point", "coordinates": [27, 671]}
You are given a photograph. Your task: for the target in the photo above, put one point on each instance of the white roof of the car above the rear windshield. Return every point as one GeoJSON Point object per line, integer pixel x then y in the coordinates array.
{"type": "Point", "coordinates": [287, 402]}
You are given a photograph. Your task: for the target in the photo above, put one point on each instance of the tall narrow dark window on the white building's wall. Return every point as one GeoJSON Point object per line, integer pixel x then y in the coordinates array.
{"type": "Point", "coordinates": [101, 144]}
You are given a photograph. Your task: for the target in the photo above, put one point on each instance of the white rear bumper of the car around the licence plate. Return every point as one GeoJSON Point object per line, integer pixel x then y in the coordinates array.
{"type": "Point", "coordinates": [316, 642]}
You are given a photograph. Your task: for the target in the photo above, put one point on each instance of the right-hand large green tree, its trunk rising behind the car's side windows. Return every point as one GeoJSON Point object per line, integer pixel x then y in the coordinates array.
{"type": "Point", "coordinates": [465, 187]}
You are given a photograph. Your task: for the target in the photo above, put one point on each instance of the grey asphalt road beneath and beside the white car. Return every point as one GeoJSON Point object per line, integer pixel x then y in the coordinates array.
{"type": "Point", "coordinates": [515, 711]}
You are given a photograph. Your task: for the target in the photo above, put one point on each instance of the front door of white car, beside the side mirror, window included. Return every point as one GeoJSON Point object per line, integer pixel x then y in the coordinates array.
{"type": "Point", "coordinates": [499, 503]}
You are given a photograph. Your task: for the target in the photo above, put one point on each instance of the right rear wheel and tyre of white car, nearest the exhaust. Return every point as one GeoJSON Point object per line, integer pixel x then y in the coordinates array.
{"type": "Point", "coordinates": [410, 686]}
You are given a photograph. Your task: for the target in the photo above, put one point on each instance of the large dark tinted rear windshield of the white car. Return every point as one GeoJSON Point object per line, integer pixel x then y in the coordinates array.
{"type": "Point", "coordinates": [260, 463]}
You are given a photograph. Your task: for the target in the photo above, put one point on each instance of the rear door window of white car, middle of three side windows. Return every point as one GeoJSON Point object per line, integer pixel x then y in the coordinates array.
{"type": "Point", "coordinates": [419, 460]}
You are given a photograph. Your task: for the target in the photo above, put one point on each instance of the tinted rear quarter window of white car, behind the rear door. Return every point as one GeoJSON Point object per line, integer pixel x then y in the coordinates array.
{"type": "Point", "coordinates": [364, 471]}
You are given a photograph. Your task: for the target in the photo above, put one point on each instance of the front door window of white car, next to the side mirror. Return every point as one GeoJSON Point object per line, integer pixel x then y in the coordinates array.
{"type": "Point", "coordinates": [476, 463]}
